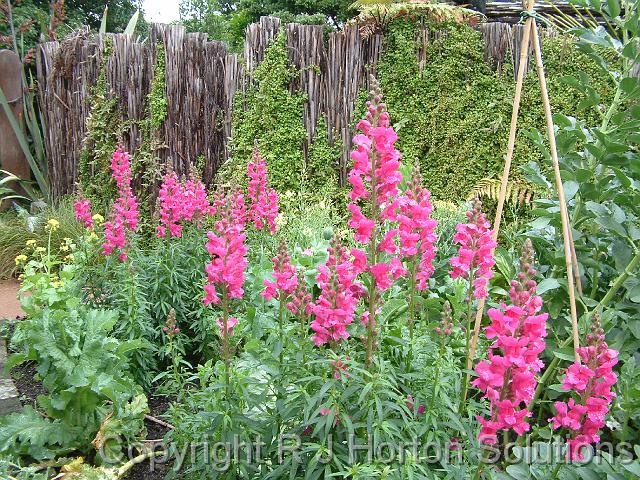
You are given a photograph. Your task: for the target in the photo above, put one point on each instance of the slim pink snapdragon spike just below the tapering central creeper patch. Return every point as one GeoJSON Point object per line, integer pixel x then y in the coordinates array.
{"type": "Point", "coordinates": [263, 205]}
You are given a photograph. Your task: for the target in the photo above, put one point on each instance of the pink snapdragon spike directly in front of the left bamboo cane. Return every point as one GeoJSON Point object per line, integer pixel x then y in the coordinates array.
{"type": "Point", "coordinates": [475, 252]}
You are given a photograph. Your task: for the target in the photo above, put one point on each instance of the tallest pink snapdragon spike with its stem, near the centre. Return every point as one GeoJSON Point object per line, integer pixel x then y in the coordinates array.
{"type": "Point", "coordinates": [374, 178]}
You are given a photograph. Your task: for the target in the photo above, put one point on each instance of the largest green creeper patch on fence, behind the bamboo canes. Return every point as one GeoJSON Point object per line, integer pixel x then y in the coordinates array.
{"type": "Point", "coordinates": [453, 116]}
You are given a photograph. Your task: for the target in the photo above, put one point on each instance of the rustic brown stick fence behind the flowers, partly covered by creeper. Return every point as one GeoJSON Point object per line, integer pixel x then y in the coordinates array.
{"type": "Point", "coordinates": [202, 80]}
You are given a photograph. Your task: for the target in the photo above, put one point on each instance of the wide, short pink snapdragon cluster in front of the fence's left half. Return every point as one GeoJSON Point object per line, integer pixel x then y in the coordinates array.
{"type": "Point", "coordinates": [186, 201]}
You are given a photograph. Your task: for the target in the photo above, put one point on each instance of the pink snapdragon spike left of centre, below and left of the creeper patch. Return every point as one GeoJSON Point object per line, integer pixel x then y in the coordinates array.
{"type": "Point", "coordinates": [225, 272]}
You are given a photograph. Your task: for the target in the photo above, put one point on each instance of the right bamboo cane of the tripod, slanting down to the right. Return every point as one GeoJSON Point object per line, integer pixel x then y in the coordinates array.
{"type": "Point", "coordinates": [564, 212]}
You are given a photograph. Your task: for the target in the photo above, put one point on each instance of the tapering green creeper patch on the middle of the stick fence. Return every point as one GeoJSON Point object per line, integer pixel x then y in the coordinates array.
{"type": "Point", "coordinates": [271, 116]}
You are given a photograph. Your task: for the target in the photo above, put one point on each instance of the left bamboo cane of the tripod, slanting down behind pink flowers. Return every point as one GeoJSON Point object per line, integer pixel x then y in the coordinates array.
{"type": "Point", "coordinates": [524, 53]}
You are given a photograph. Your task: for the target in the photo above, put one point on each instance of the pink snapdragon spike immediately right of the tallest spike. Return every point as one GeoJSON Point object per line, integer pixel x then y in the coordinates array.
{"type": "Point", "coordinates": [416, 228]}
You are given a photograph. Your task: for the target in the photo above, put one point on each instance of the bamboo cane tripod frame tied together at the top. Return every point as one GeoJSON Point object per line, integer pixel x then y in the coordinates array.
{"type": "Point", "coordinates": [530, 34]}
